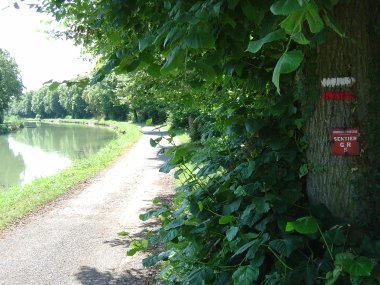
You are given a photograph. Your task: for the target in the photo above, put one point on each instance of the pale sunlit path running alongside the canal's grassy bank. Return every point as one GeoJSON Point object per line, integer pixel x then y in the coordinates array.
{"type": "Point", "coordinates": [76, 242]}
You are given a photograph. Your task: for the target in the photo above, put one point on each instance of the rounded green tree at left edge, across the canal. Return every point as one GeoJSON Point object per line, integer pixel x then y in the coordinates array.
{"type": "Point", "coordinates": [10, 81]}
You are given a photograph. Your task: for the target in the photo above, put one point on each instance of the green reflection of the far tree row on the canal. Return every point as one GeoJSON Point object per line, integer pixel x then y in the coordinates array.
{"type": "Point", "coordinates": [73, 141]}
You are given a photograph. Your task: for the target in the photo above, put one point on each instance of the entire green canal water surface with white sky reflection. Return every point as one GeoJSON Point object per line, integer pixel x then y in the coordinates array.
{"type": "Point", "coordinates": [41, 150]}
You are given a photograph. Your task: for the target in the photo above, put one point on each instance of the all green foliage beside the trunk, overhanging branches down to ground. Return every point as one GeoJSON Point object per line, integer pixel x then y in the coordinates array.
{"type": "Point", "coordinates": [240, 215]}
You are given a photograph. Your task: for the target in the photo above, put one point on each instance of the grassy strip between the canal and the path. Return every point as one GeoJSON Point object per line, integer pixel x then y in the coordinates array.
{"type": "Point", "coordinates": [17, 202]}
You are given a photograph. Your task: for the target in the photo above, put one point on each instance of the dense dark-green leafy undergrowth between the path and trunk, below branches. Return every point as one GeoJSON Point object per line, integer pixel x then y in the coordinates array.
{"type": "Point", "coordinates": [240, 215]}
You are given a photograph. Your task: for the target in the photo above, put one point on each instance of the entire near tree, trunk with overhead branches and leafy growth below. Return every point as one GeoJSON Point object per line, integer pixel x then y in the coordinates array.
{"type": "Point", "coordinates": [256, 203]}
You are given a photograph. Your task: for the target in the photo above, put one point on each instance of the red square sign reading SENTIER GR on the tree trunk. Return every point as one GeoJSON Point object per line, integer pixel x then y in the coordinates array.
{"type": "Point", "coordinates": [345, 142]}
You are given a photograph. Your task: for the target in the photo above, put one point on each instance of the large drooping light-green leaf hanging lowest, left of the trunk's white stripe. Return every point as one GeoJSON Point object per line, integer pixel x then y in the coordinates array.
{"type": "Point", "coordinates": [287, 63]}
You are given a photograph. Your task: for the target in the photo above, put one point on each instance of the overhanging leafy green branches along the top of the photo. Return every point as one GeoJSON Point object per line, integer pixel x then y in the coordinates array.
{"type": "Point", "coordinates": [209, 33]}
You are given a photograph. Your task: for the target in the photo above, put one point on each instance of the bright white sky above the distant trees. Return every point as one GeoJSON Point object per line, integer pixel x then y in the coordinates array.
{"type": "Point", "coordinates": [39, 57]}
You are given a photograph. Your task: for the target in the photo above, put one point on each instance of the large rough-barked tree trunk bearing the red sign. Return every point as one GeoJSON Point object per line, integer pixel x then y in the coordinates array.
{"type": "Point", "coordinates": [337, 181]}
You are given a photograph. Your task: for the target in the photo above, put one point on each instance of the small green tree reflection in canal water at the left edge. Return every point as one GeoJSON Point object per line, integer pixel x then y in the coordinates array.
{"type": "Point", "coordinates": [11, 166]}
